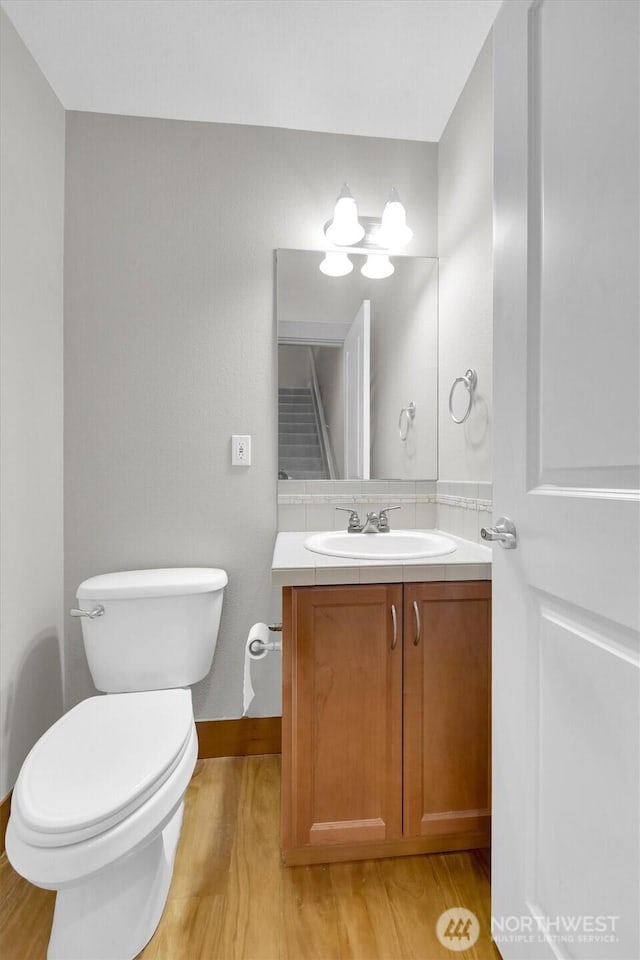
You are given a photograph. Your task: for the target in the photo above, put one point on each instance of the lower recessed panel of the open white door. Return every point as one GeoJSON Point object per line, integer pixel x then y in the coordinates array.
{"type": "Point", "coordinates": [584, 730]}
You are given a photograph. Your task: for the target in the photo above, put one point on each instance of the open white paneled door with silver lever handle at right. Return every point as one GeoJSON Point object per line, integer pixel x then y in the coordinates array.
{"type": "Point", "coordinates": [567, 407]}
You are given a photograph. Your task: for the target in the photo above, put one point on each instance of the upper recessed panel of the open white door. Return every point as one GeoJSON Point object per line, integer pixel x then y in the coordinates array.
{"type": "Point", "coordinates": [571, 440]}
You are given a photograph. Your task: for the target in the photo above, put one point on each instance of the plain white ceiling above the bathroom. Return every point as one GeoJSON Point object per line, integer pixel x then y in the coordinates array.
{"type": "Point", "coordinates": [377, 68]}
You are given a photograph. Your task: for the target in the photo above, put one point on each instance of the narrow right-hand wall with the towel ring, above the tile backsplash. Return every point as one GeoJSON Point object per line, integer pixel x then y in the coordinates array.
{"type": "Point", "coordinates": [465, 240]}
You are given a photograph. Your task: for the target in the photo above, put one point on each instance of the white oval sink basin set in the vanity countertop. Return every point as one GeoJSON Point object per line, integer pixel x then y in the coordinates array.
{"type": "Point", "coordinates": [399, 545]}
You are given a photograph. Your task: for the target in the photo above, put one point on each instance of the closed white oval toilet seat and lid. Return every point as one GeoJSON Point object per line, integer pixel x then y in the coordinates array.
{"type": "Point", "coordinates": [99, 763]}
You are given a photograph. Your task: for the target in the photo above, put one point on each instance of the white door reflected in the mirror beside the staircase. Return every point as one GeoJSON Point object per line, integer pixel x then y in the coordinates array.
{"type": "Point", "coordinates": [357, 376]}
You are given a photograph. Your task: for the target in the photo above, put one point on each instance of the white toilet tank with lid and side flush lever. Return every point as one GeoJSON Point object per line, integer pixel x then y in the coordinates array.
{"type": "Point", "coordinates": [159, 627]}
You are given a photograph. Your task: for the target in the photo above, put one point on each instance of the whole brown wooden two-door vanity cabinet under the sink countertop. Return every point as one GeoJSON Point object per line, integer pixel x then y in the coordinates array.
{"type": "Point", "coordinates": [385, 720]}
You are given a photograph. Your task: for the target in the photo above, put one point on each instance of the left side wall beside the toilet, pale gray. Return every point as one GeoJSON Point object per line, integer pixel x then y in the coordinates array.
{"type": "Point", "coordinates": [32, 132]}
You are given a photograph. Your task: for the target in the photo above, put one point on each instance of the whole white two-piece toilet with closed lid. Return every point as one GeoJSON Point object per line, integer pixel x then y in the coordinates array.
{"type": "Point", "coordinates": [97, 808]}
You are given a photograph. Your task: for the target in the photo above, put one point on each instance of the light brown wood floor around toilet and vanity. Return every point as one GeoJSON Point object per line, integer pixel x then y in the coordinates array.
{"type": "Point", "coordinates": [231, 899]}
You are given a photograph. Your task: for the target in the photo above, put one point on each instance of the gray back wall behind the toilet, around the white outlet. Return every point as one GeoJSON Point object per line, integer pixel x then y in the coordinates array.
{"type": "Point", "coordinates": [170, 235]}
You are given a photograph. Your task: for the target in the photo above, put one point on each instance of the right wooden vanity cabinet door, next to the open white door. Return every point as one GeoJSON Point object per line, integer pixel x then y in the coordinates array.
{"type": "Point", "coordinates": [447, 698]}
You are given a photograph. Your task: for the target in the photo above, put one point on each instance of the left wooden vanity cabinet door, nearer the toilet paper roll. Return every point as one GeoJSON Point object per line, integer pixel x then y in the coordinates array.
{"type": "Point", "coordinates": [342, 715]}
